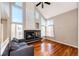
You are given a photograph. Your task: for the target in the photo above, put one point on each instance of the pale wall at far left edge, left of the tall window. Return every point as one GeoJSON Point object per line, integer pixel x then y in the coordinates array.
{"type": "Point", "coordinates": [5, 15]}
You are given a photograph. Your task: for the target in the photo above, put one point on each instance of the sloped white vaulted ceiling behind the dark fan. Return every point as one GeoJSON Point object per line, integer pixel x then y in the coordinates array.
{"type": "Point", "coordinates": [56, 8]}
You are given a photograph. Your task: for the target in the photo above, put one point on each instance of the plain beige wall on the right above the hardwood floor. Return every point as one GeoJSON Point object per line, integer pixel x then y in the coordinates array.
{"type": "Point", "coordinates": [66, 28]}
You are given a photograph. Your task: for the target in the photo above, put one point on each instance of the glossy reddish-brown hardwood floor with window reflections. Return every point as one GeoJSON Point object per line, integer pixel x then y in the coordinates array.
{"type": "Point", "coordinates": [50, 48]}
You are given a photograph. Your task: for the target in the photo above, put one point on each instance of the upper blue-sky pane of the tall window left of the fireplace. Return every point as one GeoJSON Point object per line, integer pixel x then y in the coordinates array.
{"type": "Point", "coordinates": [17, 15]}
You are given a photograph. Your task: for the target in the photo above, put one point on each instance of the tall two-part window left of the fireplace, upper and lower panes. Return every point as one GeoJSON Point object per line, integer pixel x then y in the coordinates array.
{"type": "Point", "coordinates": [17, 21]}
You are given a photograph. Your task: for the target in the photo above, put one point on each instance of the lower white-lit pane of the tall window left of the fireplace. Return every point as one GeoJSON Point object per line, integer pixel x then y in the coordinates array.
{"type": "Point", "coordinates": [17, 31]}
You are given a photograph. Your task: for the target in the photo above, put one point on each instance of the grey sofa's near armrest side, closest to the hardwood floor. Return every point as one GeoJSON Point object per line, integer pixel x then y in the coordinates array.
{"type": "Point", "coordinates": [23, 51]}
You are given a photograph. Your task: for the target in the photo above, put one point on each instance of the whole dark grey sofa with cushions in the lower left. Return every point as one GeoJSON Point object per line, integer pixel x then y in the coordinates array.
{"type": "Point", "coordinates": [16, 48]}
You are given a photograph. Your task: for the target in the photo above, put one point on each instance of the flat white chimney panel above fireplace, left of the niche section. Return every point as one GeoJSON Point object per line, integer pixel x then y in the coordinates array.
{"type": "Point", "coordinates": [30, 17]}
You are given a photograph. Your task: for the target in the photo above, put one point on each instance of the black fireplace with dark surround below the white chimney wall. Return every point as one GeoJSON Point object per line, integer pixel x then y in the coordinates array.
{"type": "Point", "coordinates": [32, 35]}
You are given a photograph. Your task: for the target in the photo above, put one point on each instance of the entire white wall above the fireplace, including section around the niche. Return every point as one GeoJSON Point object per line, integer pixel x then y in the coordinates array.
{"type": "Point", "coordinates": [30, 18]}
